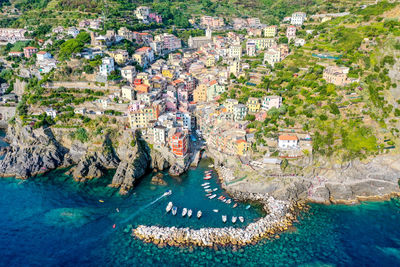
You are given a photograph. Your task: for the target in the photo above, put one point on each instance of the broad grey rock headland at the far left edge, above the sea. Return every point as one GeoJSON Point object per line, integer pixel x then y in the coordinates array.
{"type": "Point", "coordinates": [31, 152]}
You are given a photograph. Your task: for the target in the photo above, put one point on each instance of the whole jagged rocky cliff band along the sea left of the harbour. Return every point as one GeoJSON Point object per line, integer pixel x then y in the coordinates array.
{"type": "Point", "coordinates": [36, 151]}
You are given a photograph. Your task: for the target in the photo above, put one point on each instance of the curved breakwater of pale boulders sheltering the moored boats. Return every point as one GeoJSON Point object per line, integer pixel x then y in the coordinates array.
{"type": "Point", "coordinates": [280, 215]}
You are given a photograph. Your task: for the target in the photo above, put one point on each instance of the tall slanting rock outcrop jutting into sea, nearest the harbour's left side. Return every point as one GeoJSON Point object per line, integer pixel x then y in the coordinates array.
{"type": "Point", "coordinates": [136, 159]}
